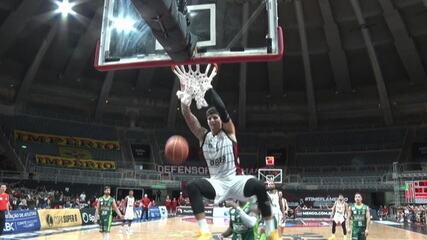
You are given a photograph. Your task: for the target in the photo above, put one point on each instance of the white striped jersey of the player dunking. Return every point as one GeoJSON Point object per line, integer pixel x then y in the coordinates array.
{"type": "Point", "coordinates": [220, 153]}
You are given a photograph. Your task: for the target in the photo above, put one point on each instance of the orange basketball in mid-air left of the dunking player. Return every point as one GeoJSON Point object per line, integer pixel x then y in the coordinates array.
{"type": "Point", "coordinates": [176, 149]}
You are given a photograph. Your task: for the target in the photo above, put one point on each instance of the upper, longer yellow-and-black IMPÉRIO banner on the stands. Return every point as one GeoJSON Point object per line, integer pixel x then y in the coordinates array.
{"type": "Point", "coordinates": [66, 141]}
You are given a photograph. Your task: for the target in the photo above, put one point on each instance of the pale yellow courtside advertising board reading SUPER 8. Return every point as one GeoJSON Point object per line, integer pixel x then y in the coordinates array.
{"type": "Point", "coordinates": [57, 218]}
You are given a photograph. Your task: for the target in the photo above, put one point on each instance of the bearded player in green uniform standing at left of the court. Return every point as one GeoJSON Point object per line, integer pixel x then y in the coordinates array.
{"type": "Point", "coordinates": [104, 211]}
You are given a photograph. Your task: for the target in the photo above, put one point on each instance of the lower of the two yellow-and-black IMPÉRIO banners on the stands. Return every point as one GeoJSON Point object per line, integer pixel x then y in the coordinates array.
{"type": "Point", "coordinates": [74, 163]}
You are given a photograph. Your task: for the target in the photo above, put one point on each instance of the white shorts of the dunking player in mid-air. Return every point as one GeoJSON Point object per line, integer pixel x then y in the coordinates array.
{"type": "Point", "coordinates": [231, 187]}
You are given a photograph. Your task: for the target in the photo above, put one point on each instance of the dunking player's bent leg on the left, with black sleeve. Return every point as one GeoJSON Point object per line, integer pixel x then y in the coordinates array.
{"type": "Point", "coordinates": [196, 191]}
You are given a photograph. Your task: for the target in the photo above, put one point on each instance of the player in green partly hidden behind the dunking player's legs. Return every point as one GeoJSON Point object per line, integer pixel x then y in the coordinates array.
{"type": "Point", "coordinates": [244, 222]}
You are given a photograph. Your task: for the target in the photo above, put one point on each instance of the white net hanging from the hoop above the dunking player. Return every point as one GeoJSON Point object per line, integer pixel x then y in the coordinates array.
{"type": "Point", "coordinates": [194, 83]}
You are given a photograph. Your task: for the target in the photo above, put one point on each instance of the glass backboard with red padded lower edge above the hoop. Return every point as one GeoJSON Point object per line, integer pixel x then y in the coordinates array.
{"type": "Point", "coordinates": [227, 31]}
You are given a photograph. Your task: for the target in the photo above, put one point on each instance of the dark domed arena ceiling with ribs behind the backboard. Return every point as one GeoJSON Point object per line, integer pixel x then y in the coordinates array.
{"type": "Point", "coordinates": [348, 63]}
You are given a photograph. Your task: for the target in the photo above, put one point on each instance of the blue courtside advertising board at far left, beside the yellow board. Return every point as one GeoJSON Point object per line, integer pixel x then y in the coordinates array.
{"type": "Point", "coordinates": [21, 221]}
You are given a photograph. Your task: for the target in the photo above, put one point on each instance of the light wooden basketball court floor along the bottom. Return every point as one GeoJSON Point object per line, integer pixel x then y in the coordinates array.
{"type": "Point", "coordinates": [179, 228]}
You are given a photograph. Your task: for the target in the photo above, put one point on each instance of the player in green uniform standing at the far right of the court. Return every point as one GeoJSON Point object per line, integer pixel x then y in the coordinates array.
{"type": "Point", "coordinates": [359, 217]}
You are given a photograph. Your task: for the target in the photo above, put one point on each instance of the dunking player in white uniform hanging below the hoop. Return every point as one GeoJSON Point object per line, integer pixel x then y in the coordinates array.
{"type": "Point", "coordinates": [219, 146]}
